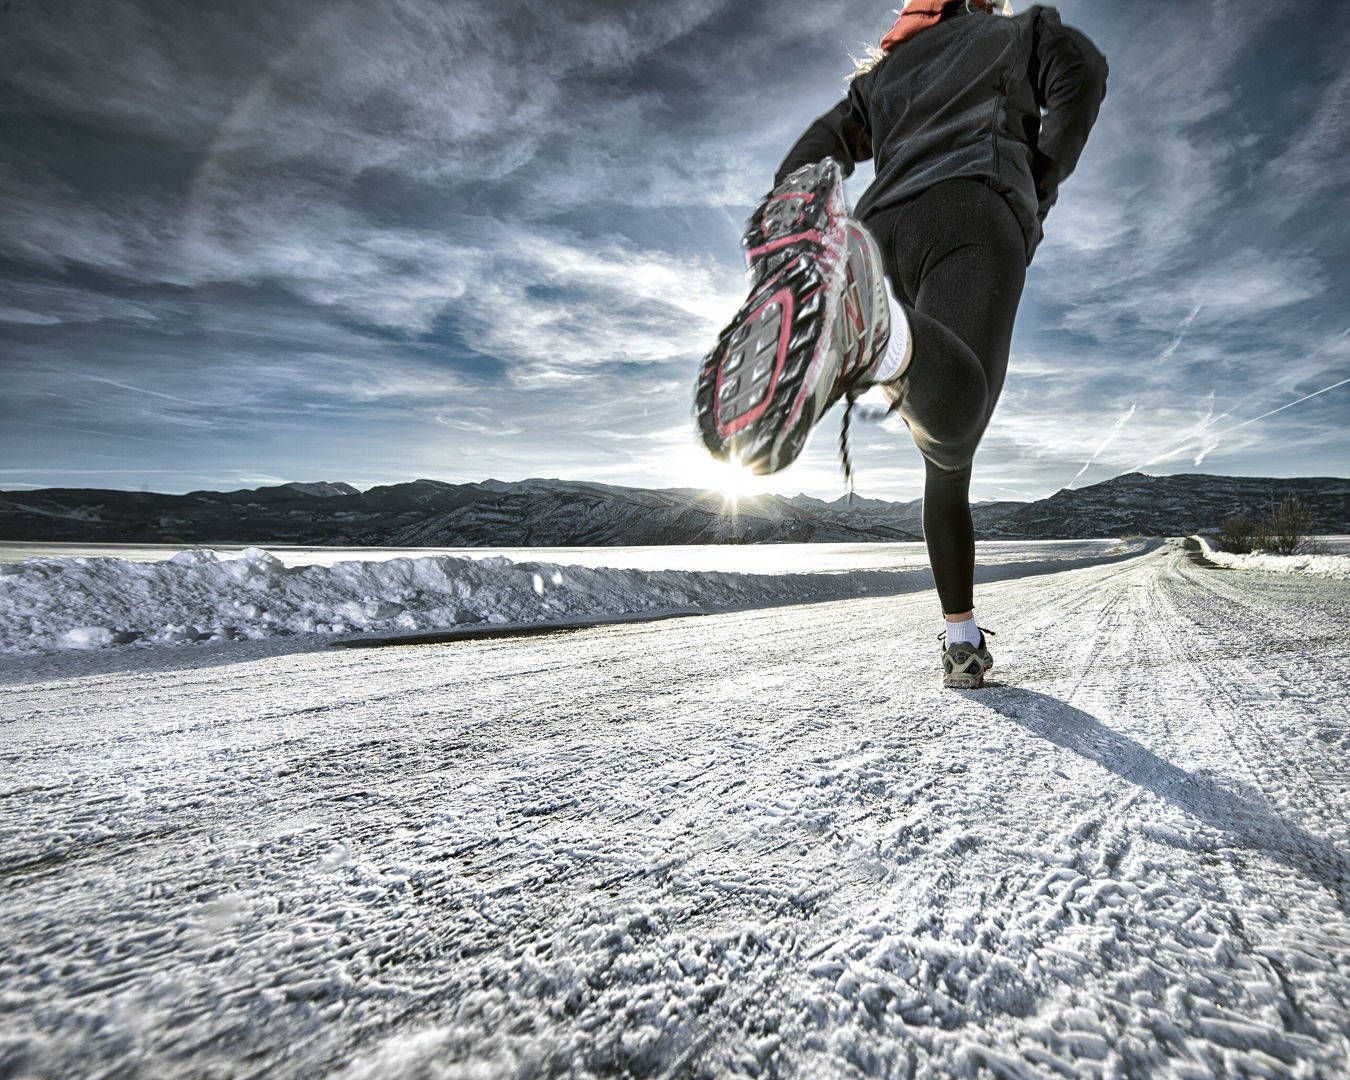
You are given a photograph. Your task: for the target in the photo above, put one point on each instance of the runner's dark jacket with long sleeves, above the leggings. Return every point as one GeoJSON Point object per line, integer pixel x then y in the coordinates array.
{"type": "Point", "coordinates": [1009, 101]}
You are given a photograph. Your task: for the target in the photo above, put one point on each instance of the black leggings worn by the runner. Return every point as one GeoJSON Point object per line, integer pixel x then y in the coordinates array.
{"type": "Point", "coordinates": [956, 259]}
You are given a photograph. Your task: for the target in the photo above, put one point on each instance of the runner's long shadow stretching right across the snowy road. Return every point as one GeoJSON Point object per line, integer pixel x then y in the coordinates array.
{"type": "Point", "coordinates": [1244, 819]}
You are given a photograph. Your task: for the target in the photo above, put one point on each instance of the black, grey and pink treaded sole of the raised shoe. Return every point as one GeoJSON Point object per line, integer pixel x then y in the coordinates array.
{"type": "Point", "coordinates": [769, 362]}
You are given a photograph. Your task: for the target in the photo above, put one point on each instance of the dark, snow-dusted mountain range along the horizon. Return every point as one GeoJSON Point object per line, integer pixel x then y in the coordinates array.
{"type": "Point", "coordinates": [557, 514]}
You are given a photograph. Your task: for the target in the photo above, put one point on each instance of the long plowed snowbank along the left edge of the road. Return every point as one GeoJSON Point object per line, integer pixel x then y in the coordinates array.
{"type": "Point", "coordinates": [195, 596]}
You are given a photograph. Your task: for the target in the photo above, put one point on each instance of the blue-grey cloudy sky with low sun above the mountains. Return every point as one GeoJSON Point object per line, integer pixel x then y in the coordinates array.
{"type": "Point", "coordinates": [271, 241]}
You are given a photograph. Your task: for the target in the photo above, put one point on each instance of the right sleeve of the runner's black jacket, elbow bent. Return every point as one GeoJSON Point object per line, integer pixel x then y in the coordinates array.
{"type": "Point", "coordinates": [1069, 76]}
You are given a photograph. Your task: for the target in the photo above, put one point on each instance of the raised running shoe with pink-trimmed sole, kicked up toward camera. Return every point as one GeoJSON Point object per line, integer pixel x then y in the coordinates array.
{"type": "Point", "coordinates": [816, 321]}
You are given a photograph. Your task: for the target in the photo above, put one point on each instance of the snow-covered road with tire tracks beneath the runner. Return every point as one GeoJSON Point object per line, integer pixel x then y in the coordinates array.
{"type": "Point", "coordinates": [751, 844]}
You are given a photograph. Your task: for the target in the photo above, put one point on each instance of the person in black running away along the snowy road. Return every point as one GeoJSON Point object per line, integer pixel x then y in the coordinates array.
{"type": "Point", "coordinates": [975, 117]}
